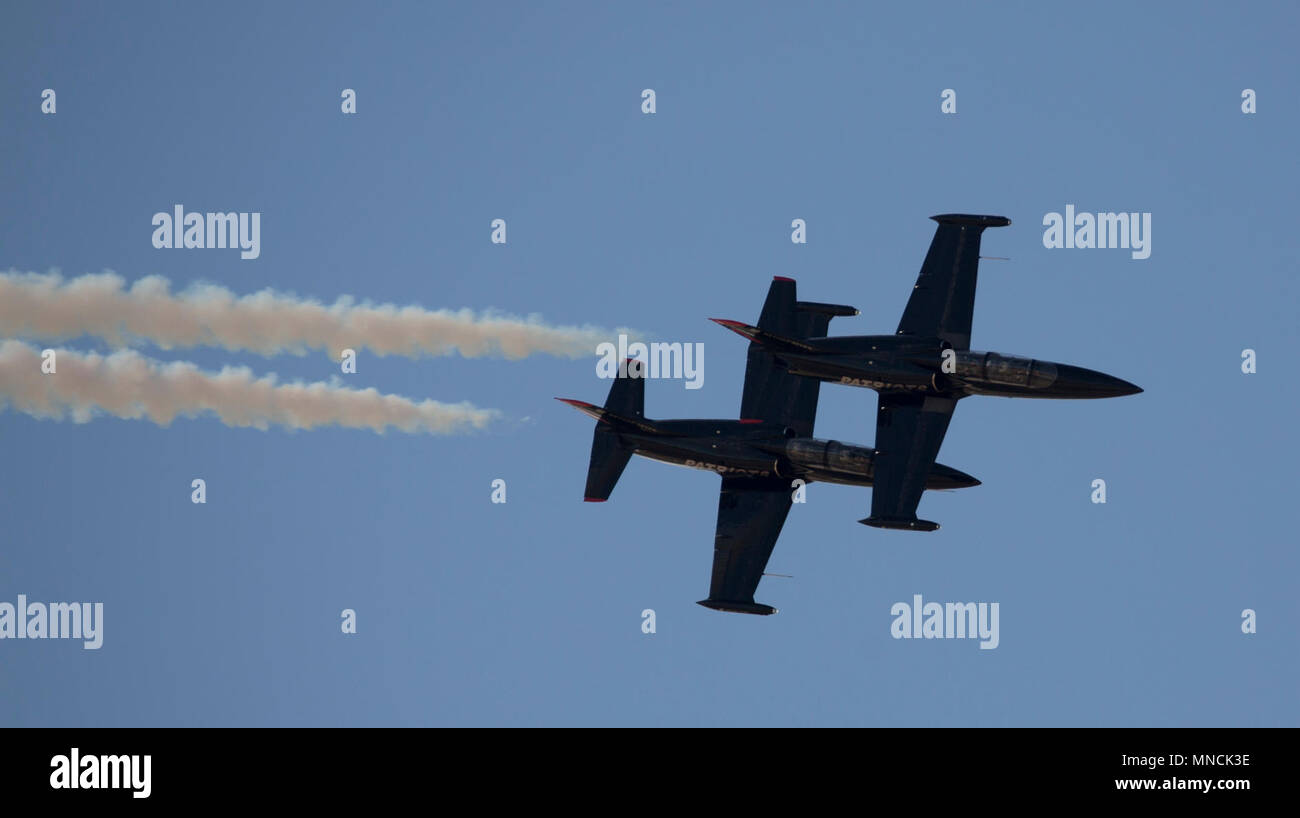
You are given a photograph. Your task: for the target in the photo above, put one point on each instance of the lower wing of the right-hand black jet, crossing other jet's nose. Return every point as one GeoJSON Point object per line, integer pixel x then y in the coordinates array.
{"type": "Point", "coordinates": [909, 431]}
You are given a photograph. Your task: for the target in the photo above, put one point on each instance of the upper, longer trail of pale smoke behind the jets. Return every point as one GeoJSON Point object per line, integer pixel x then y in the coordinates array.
{"type": "Point", "coordinates": [50, 309]}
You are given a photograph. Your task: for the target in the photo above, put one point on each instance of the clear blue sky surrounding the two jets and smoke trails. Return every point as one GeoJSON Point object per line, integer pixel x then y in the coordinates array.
{"type": "Point", "coordinates": [528, 613]}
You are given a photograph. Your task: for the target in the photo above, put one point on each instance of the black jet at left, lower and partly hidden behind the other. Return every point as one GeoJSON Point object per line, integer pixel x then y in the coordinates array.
{"type": "Point", "coordinates": [759, 456]}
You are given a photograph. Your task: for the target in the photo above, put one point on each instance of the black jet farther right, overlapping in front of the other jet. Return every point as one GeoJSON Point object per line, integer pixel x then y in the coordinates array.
{"type": "Point", "coordinates": [925, 369]}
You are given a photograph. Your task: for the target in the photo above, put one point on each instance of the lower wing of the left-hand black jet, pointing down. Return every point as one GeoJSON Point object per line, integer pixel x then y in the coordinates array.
{"type": "Point", "coordinates": [751, 516]}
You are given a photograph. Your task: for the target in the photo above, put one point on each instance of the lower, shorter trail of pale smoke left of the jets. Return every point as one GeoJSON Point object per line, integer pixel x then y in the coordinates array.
{"type": "Point", "coordinates": [127, 384]}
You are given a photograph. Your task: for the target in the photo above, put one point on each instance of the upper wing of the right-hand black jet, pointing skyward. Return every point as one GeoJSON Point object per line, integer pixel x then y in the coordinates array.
{"type": "Point", "coordinates": [944, 298]}
